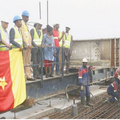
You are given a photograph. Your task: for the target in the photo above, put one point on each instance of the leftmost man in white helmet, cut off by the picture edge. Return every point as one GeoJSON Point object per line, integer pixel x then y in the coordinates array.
{"type": "Point", "coordinates": [4, 37]}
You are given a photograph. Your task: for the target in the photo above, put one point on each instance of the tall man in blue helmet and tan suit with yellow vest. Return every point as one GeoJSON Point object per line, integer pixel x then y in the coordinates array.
{"type": "Point", "coordinates": [27, 44]}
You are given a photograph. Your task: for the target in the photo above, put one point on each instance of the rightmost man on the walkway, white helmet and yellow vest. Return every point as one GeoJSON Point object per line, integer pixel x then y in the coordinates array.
{"type": "Point", "coordinates": [67, 48]}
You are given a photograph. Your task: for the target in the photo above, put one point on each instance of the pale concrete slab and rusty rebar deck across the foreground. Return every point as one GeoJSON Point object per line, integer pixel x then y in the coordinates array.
{"type": "Point", "coordinates": [59, 107]}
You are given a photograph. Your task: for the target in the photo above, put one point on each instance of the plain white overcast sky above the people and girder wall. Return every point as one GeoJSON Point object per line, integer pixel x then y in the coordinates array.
{"type": "Point", "coordinates": [88, 19]}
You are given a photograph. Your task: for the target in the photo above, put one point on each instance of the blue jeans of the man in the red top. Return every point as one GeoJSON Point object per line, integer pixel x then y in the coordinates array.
{"type": "Point", "coordinates": [57, 61]}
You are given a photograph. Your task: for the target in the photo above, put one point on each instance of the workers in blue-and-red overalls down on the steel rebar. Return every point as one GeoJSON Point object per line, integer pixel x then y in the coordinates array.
{"type": "Point", "coordinates": [83, 78]}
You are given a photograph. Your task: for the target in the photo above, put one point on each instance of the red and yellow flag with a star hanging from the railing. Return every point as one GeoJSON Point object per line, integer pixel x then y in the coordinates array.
{"type": "Point", "coordinates": [12, 79]}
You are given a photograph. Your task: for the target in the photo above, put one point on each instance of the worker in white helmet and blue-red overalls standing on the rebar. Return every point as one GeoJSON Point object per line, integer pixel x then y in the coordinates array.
{"type": "Point", "coordinates": [83, 79]}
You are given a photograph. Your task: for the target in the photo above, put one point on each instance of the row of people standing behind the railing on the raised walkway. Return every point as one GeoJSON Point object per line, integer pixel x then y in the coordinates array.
{"type": "Point", "coordinates": [30, 43]}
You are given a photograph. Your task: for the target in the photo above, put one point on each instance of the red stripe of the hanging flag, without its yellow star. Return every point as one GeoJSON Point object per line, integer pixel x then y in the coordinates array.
{"type": "Point", "coordinates": [6, 95]}
